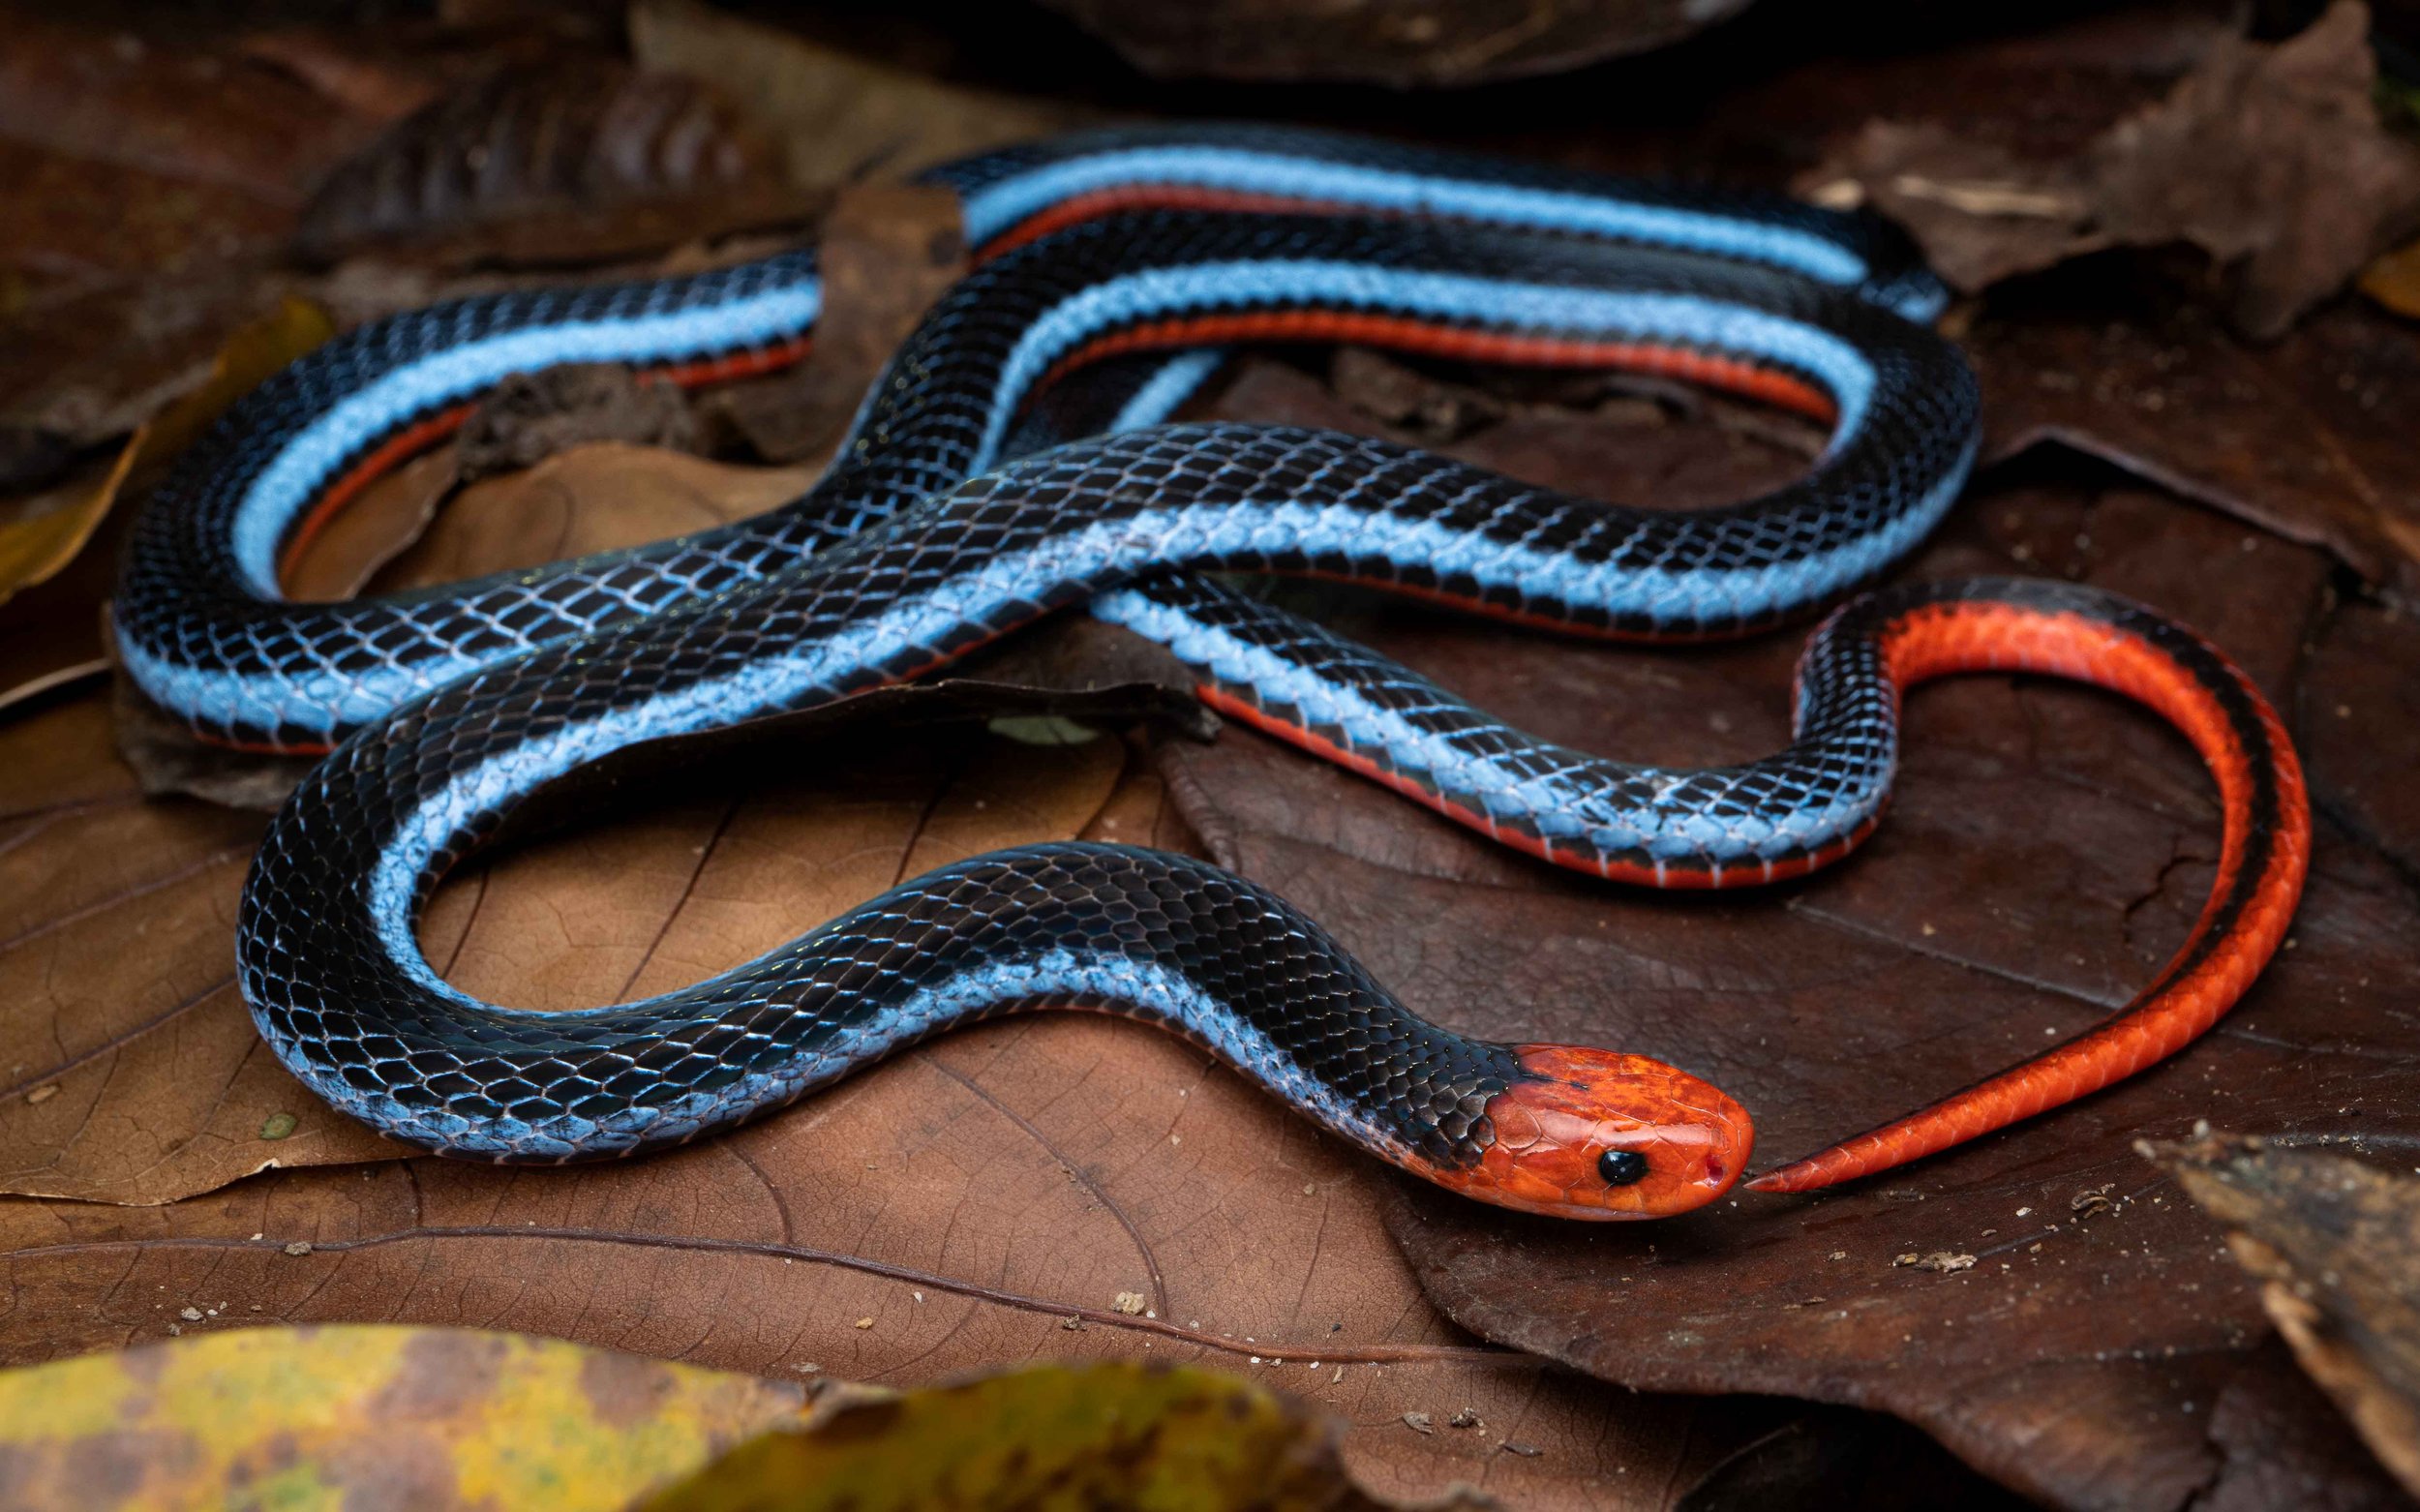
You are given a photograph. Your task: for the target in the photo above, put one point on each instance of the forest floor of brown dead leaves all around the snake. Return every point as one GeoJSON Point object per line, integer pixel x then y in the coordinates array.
{"type": "Point", "coordinates": [2201, 359]}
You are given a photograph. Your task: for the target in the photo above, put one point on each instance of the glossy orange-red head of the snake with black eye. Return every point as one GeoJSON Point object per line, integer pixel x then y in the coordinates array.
{"type": "Point", "coordinates": [1603, 1136]}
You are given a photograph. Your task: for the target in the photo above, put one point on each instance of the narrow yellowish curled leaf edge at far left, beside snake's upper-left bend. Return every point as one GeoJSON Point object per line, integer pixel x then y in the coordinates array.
{"type": "Point", "coordinates": [47, 538]}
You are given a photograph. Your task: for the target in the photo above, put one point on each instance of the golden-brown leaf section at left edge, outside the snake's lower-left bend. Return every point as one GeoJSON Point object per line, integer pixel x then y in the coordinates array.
{"type": "Point", "coordinates": [132, 1068]}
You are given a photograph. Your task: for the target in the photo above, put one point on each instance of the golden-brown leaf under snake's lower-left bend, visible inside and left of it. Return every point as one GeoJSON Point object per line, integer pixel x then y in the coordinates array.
{"type": "Point", "coordinates": [117, 933]}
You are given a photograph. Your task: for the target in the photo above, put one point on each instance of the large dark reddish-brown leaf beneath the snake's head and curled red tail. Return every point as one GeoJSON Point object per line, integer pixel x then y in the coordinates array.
{"type": "Point", "coordinates": [2046, 853]}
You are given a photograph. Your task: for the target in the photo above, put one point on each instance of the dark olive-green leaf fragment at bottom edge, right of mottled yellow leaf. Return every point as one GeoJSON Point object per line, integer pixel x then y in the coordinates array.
{"type": "Point", "coordinates": [1097, 1436]}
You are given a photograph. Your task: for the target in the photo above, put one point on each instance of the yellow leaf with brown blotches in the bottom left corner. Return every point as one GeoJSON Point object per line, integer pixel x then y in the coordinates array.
{"type": "Point", "coordinates": [364, 1414]}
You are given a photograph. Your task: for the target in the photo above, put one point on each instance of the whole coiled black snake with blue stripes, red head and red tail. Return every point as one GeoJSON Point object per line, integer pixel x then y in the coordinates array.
{"type": "Point", "coordinates": [950, 516]}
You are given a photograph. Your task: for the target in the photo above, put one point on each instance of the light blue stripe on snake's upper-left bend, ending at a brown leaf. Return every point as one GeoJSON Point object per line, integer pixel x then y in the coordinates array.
{"type": "Point", "coordinates": [316, 454]}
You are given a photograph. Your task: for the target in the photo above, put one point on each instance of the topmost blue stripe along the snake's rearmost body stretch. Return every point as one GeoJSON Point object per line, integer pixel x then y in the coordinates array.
{"type": "Point", "coordinates": [991, 212]}
